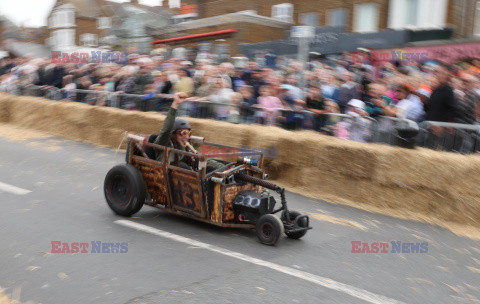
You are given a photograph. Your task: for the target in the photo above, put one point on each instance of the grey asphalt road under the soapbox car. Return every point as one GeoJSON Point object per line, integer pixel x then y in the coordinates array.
{"type": "Point", "coordinates": [169, 259]}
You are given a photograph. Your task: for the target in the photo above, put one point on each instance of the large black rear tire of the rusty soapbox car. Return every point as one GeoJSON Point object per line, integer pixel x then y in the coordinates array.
{"type": "Point", "coordinates": [124, 190]}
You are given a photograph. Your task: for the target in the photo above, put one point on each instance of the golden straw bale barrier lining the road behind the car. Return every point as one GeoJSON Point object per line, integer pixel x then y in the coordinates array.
{"type": "Point", "coordinates": [420, 184]}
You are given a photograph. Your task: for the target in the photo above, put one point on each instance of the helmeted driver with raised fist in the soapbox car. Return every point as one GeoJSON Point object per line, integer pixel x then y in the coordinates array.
{"type": "Point", "coordinates": [176, 133]}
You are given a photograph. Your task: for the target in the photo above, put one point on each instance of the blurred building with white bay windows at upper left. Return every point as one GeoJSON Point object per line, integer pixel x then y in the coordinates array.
{"type": "Point", "coordinates": [76, 25]}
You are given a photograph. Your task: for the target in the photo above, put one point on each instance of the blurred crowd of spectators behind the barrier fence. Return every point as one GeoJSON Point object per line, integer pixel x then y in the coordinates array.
{"type": "Point", "coordinates": [276, 91]}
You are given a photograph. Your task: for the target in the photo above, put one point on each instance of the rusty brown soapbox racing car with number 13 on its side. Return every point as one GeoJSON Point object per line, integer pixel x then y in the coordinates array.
{"type": "Point", "coordinates": [234, 195]}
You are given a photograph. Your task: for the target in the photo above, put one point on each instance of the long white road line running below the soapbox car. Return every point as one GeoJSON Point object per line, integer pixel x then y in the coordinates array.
{"type": "Point", "coordinates": [322, 281]}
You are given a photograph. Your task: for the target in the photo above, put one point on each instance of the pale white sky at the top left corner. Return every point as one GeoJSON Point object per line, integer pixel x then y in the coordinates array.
{"type": "Point", "coordinates": [33, 13]}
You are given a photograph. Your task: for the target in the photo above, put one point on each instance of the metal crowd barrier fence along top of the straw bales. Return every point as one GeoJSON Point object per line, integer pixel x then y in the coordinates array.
{"type": "Point", "coordinates": [450, 137]}
